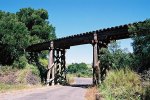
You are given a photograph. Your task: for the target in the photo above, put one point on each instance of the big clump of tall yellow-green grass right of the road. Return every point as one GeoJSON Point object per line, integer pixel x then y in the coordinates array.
{"type": "Point", "coordinates": [123, 84]}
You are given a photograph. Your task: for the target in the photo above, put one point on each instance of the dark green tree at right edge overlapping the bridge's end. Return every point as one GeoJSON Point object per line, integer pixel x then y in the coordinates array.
{"type": "Point", "coordinates": [141, 45]}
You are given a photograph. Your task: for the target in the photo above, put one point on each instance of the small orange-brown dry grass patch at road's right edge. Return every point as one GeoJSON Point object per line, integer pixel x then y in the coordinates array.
{"type": "Point", "coordinates": [91, 93]}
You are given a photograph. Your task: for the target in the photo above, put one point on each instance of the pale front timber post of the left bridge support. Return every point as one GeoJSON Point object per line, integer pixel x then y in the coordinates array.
{"type": "Point", "coordinates": [50, 73]}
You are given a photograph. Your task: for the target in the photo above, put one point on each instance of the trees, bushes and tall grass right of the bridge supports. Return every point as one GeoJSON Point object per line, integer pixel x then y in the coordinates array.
{"type": "Point", "coordinates": [128, 75]}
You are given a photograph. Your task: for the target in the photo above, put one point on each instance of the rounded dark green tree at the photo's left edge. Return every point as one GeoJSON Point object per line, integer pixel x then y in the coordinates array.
{"type": "Point", "coordinates": [14, 38]}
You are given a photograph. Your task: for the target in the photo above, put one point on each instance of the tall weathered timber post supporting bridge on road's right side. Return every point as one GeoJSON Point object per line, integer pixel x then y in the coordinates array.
{"type": "Point", "coordinates": [96, 67]}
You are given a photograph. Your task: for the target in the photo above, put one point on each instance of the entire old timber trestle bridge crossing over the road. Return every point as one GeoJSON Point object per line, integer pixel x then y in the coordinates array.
{"type": "Point", "coordinates": [57, 48]}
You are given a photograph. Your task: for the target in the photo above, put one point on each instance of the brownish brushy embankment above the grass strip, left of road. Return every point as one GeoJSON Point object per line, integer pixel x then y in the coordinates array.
{"type": "Point", "coordinates": [13, 76]}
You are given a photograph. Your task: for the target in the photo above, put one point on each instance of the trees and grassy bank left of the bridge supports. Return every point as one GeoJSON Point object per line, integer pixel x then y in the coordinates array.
{"type": "Point", "coordinates": [18, 31]}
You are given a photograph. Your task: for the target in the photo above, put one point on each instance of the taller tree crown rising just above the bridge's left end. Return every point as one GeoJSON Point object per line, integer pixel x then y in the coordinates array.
{"type": "Point", "coordinates": [37, 24]}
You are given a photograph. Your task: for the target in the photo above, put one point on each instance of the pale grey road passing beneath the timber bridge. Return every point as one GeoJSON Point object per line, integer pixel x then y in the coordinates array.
{"type": "Point", "coordinates": [73, 92]}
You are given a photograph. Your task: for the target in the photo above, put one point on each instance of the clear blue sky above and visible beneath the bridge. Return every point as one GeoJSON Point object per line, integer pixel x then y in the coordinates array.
{"type": "Point", "coordinates": [71, 17]}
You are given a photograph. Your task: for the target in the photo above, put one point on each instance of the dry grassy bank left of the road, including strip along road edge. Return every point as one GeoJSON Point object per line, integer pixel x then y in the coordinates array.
{"type": "Point", "coordinates": [21, 79]}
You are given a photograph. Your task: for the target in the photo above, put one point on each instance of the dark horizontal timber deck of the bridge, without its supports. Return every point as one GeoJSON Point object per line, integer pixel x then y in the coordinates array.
{"type": "Point", "coordinates": [104, 35]}
